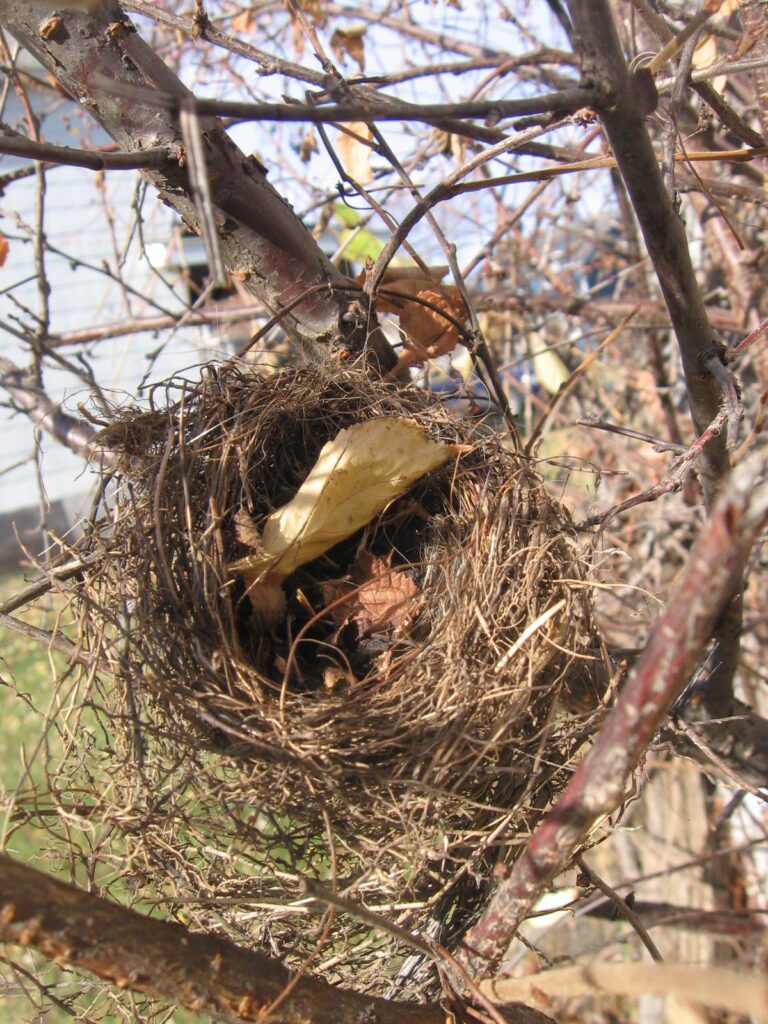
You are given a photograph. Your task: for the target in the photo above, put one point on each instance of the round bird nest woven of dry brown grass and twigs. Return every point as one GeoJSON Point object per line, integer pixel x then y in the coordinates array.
{"type": "Point", "coordinates": [417, 700]}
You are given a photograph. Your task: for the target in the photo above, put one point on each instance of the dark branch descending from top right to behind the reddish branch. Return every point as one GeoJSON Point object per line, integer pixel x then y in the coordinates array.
{"type": "Point", "coordinates": [627, 101]}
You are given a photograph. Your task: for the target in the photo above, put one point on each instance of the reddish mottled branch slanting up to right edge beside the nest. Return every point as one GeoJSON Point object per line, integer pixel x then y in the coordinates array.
{"type": "Point", "coordinates": [670, 657]}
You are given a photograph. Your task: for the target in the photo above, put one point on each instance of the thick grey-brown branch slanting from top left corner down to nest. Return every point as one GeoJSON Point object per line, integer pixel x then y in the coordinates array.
{"type": "Point", "coordinates": [263, 242]}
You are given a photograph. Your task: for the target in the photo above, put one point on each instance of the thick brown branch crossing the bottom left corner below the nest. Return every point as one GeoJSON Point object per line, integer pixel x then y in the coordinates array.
{"type": "Point", "coordinates": [166, 961]}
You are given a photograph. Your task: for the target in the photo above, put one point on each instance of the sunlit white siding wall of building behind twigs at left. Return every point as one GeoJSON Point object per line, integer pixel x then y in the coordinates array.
{"type": "Point", "coordinates": [91, 218]}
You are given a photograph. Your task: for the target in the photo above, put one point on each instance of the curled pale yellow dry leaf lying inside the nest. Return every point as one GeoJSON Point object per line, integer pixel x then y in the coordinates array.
{"type": "Point", "coordinates": [356, 477]}
